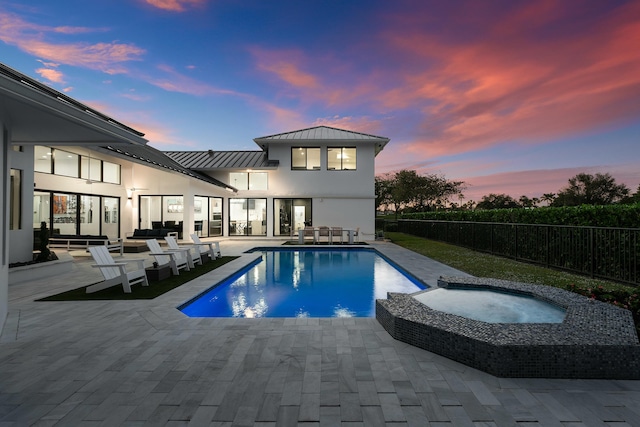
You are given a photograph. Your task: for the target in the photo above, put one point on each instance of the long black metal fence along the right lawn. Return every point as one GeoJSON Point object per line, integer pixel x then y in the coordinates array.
{"type": "Point", "coordinates": [602, 252]}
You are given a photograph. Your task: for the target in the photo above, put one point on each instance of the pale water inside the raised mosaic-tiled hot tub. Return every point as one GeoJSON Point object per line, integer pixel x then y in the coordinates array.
{"type": "Point", "coordinates": [492, 306]}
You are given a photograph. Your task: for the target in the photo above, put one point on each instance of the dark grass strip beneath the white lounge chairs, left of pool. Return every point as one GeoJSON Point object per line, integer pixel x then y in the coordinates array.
{"type": "Point", "coordinates": [154, 289]}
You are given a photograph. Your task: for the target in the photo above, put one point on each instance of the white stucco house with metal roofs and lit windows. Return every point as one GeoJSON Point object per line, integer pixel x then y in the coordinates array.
{"type": "Point", "coordinates": [84, 173]}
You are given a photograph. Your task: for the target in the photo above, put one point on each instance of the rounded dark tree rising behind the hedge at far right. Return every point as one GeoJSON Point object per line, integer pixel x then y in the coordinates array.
{"type": "Point", "coordinates": [587, 189]}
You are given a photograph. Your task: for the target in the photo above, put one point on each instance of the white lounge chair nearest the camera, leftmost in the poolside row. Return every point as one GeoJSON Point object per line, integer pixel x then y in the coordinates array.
{"type": "Point", "coordinates": [115, 272]}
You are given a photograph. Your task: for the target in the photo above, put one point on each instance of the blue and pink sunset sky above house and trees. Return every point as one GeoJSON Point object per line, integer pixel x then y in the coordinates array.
{"type": "Point", "coordinates": [509, 96]}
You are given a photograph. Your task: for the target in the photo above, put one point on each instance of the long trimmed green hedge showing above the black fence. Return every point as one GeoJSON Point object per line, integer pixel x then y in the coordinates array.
{"type": "Point", "coordinates": [624, 216]}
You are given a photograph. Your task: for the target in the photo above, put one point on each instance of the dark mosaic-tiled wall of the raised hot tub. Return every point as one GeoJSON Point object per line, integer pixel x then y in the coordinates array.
{"type": "Point", "coordinates": [595, 340]}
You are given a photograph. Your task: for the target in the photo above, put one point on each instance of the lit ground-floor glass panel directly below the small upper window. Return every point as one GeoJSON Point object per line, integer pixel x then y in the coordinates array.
{"type": "Point", "coordinates": [247, 217]}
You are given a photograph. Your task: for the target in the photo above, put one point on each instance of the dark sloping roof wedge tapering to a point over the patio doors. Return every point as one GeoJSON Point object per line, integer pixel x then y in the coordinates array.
{"type": "Point", "coordinates": [149, 156]}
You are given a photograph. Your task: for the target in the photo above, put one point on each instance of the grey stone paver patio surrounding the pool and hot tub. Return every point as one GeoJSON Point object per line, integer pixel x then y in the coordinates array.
{"type": "Point", "coordinates": [144, 363]}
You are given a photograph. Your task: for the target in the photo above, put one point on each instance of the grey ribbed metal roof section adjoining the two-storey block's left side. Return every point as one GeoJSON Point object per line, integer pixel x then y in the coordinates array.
{"type": "Point", "coordinates": [203, 160]}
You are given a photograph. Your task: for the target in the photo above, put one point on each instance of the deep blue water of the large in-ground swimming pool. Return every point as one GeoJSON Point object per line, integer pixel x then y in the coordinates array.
{"type": "Point", "coordinates": [305, 283]}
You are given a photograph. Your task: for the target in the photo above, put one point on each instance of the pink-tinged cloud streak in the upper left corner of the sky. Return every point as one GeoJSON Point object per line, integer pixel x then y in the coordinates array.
{"type": "Point", "coordinates": [30, 38]}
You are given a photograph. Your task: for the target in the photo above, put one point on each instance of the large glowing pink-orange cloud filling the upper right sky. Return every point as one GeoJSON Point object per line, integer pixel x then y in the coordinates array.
{"type": "Point", "coordinates": [510, 86]}
